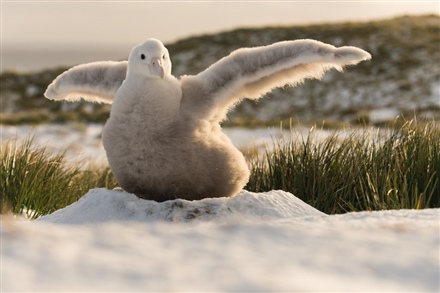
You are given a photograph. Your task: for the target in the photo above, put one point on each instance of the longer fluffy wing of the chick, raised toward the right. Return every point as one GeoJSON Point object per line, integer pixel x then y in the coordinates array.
{"type": "Point", "coordinates": [252, 72]}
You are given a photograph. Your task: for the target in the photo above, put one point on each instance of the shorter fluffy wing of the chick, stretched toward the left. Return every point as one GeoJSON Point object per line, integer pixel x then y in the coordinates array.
{"type": "Point", "coordinates": [94, 82]}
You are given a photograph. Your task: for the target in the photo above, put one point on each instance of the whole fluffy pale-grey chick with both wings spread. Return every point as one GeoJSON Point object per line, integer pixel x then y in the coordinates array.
{"type": "Point", "coordinates": [163, 139]}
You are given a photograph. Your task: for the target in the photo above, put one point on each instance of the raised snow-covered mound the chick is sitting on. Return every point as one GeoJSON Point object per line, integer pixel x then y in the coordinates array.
{"type": "Point", "coordinates": [103, 205]}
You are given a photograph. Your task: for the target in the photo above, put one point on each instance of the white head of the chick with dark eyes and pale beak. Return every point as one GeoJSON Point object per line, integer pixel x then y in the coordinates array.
{"type": "Point", "coordinates": [150, 59]}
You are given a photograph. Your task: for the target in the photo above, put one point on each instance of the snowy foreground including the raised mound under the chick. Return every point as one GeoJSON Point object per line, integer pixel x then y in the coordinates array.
{"type": "Point", "coordinates": [113, 241]}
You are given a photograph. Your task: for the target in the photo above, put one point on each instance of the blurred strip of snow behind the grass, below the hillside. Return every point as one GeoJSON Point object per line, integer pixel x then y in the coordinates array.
{"type": "Point", "coordinates": [83, 141]}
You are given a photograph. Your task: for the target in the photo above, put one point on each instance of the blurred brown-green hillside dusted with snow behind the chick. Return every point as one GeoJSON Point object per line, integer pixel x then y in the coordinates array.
{"type": "Point", "coordinates": [402, 78]}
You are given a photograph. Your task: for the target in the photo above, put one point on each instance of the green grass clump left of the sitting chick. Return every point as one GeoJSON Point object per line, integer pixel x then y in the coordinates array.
{"type": "Point", "coordinates": [35, 182]}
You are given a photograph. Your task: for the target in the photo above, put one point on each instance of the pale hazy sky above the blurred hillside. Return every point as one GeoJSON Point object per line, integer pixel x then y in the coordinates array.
{"type": "Point", "coordinates": [114, 27]}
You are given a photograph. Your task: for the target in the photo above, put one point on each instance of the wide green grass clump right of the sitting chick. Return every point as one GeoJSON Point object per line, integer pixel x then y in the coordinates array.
{"type": "Point", "coordinates": [356, 170]}
